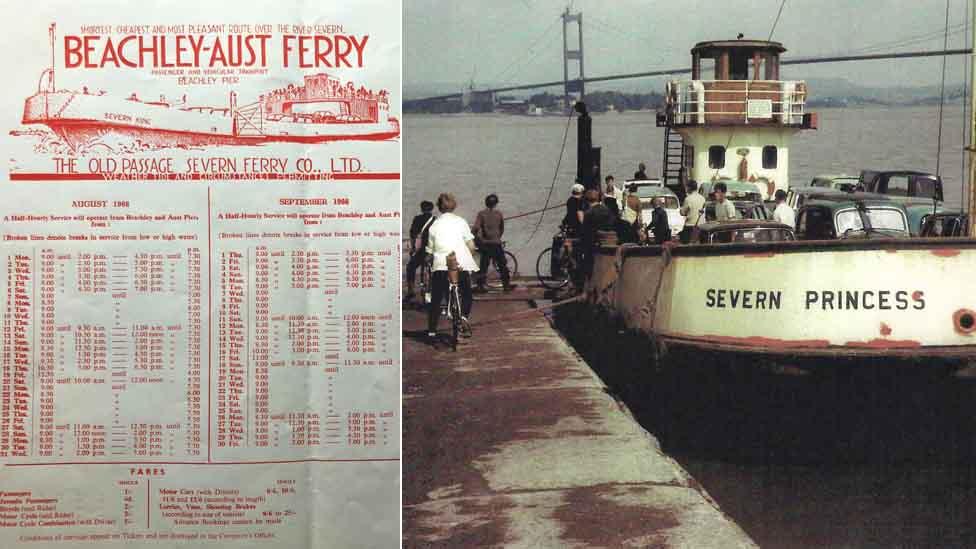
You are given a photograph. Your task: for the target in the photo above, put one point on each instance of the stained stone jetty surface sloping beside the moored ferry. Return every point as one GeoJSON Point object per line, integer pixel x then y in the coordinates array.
{"type": "Point", "coordinates": [513, 441]}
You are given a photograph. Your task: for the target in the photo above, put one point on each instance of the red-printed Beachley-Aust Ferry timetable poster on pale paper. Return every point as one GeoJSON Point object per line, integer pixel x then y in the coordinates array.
{"type": "Point", "coordinates": [200, 251]}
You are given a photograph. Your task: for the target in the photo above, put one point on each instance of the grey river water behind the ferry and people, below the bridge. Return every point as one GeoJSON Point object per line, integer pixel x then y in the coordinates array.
{"type": "Point", "coordinates": [472, 155]}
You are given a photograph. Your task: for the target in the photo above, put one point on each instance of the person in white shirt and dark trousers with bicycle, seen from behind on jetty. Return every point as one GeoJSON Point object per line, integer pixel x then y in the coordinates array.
{"type": "Point", "coordinates": [450, 233]}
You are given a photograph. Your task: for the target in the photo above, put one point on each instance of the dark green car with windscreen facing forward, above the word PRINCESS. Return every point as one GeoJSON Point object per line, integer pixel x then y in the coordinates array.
{"type": "Point", "coordinates": [829, 217]}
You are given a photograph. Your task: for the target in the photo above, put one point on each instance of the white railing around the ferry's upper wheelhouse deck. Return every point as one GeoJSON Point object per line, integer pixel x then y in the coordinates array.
{"type": "Point", "coordinates": [700, 102]}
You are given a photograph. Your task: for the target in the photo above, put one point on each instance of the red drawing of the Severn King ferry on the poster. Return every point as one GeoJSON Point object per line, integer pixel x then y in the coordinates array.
{"type": "Point", "coordinates": [321, 109]}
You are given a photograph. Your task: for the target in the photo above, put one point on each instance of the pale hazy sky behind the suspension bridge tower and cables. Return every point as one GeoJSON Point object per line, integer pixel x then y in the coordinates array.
{"type": "Point", "coordinates": [520, 41]}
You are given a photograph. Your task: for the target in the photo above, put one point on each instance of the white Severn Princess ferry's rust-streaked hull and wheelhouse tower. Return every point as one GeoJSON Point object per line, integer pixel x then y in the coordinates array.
{"type": "Point", "coordinates": [895, 300]}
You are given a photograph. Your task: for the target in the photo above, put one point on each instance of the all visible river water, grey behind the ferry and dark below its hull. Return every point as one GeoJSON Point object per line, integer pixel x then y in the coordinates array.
{"type": "Point", "coordinates": [894, 467]}
